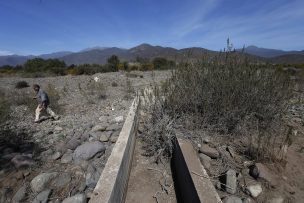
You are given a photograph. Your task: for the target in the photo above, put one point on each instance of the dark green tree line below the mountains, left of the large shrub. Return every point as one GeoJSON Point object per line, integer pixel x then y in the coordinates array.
{"type": "Point", "coordinates": [40, 67]}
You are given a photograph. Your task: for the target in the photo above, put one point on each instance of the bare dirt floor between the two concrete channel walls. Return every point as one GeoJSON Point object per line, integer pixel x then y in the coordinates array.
{"type": "Point", "coordinates": [149, 182]}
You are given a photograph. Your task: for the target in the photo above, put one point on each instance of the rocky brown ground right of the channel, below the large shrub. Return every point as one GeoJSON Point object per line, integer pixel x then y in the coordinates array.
{"type": "Point", "coordinates": [240, 179]}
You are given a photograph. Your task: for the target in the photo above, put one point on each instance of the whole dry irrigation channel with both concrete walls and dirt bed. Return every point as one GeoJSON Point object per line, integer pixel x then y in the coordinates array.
{"type": "Point", "coordinates": [129, 177]}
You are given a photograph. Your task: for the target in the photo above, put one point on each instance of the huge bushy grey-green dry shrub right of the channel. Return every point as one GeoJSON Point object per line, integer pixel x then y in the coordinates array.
{"type": "Point", "coordinates": [231, 96]}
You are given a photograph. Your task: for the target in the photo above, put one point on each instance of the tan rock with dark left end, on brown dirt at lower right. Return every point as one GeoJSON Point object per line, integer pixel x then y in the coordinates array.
{"type": "Point", "coordinates": [261, 171]}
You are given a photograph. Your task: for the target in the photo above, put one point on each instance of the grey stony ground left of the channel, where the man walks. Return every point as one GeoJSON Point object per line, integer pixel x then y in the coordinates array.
{"type": "Point", "coordinates": [61, 160]}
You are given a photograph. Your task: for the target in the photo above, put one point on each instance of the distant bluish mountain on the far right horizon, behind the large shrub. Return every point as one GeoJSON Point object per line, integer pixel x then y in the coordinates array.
{"type": "Point", "coordinates": [268, 53]}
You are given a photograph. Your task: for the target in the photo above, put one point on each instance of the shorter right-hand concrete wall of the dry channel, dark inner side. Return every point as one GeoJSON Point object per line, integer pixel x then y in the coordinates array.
{"type": "Point", "coordinates": [201, 180]}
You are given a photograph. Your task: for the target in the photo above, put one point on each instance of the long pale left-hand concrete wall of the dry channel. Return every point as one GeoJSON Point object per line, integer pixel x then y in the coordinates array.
{"type": "Point", "coordinates": [112, 184]}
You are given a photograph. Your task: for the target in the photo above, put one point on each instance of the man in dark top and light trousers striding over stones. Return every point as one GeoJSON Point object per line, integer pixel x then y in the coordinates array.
{"type": "Point", "coordinates": [43, 104]}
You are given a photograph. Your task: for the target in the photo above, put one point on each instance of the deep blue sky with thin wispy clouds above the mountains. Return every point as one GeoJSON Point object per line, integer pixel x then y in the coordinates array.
{"type": "Point", "coordinates": [44, 26]}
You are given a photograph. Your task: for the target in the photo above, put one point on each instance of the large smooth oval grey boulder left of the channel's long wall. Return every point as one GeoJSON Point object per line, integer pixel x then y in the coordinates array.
{"type": "Point", "coordinates": [88, 150]}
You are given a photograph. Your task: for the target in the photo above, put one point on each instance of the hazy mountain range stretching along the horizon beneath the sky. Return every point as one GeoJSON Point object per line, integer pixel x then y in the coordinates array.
{"type": "Point", "coordinates": [99, 55]}
